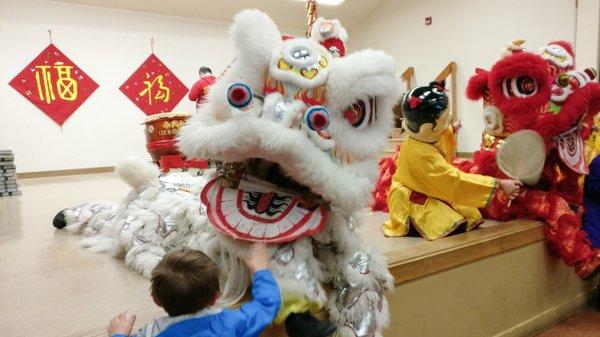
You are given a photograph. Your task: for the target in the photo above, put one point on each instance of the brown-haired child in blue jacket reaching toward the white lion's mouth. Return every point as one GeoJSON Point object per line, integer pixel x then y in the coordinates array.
{"type": "Point", "coordinates": [186, 284]}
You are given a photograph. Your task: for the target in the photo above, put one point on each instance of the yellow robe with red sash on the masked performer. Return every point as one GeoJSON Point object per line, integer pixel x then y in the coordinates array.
{"type": "Point", "coordinates": [432, 195]}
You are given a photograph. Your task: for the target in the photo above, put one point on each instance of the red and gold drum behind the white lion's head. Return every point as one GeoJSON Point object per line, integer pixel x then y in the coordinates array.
{"type": "Point", "coordinates": [161, 133]}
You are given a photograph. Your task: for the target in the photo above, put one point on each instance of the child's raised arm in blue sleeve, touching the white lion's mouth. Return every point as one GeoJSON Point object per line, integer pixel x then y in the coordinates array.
{"type": "Point", "coordinates": [266, 299]}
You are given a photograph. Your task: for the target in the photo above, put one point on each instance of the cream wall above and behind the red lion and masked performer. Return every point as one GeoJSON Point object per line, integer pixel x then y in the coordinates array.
{"type": "Point", "coordinates": [470, 32]}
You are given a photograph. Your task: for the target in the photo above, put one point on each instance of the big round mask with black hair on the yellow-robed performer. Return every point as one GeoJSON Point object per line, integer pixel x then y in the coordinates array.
{"type": "Point", "coordinates": [426, 112]}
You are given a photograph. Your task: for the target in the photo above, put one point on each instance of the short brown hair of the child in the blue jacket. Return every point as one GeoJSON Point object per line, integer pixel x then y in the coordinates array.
{"type": "Point", "coordinates": [185, 281]}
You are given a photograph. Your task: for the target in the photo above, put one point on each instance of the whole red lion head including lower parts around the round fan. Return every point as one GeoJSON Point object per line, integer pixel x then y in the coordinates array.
{"type": "Point", "coordinates": [541, 92]}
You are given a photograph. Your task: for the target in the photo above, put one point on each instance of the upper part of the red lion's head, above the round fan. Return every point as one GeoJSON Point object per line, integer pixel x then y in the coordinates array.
{"type": "Point", "coordinates": [538, 91]}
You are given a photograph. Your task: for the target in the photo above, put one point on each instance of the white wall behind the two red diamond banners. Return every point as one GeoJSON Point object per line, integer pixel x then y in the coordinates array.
{"type": "Point", "coordinates": [108, 45]}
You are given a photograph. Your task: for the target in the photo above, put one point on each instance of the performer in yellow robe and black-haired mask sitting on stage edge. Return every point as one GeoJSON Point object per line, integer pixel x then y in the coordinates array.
{"type": "Point", "coordinates": [429, 195]}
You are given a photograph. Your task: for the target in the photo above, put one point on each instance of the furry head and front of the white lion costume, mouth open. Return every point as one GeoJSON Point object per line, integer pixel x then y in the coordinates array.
{"type": "Point", "coordinates": [297, 129]}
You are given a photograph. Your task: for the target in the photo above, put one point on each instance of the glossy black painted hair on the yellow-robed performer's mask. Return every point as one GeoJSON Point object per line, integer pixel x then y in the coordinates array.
{"type": "Point", "coordinates": [424, 104]}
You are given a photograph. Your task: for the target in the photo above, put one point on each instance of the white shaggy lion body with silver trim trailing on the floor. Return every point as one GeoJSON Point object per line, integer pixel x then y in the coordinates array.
{"type": "Point", "coordinates": [159, 215]}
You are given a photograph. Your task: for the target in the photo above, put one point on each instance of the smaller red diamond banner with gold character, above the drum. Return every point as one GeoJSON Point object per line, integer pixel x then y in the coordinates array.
{"type": "Point", "coordinates": [153, 87]}
